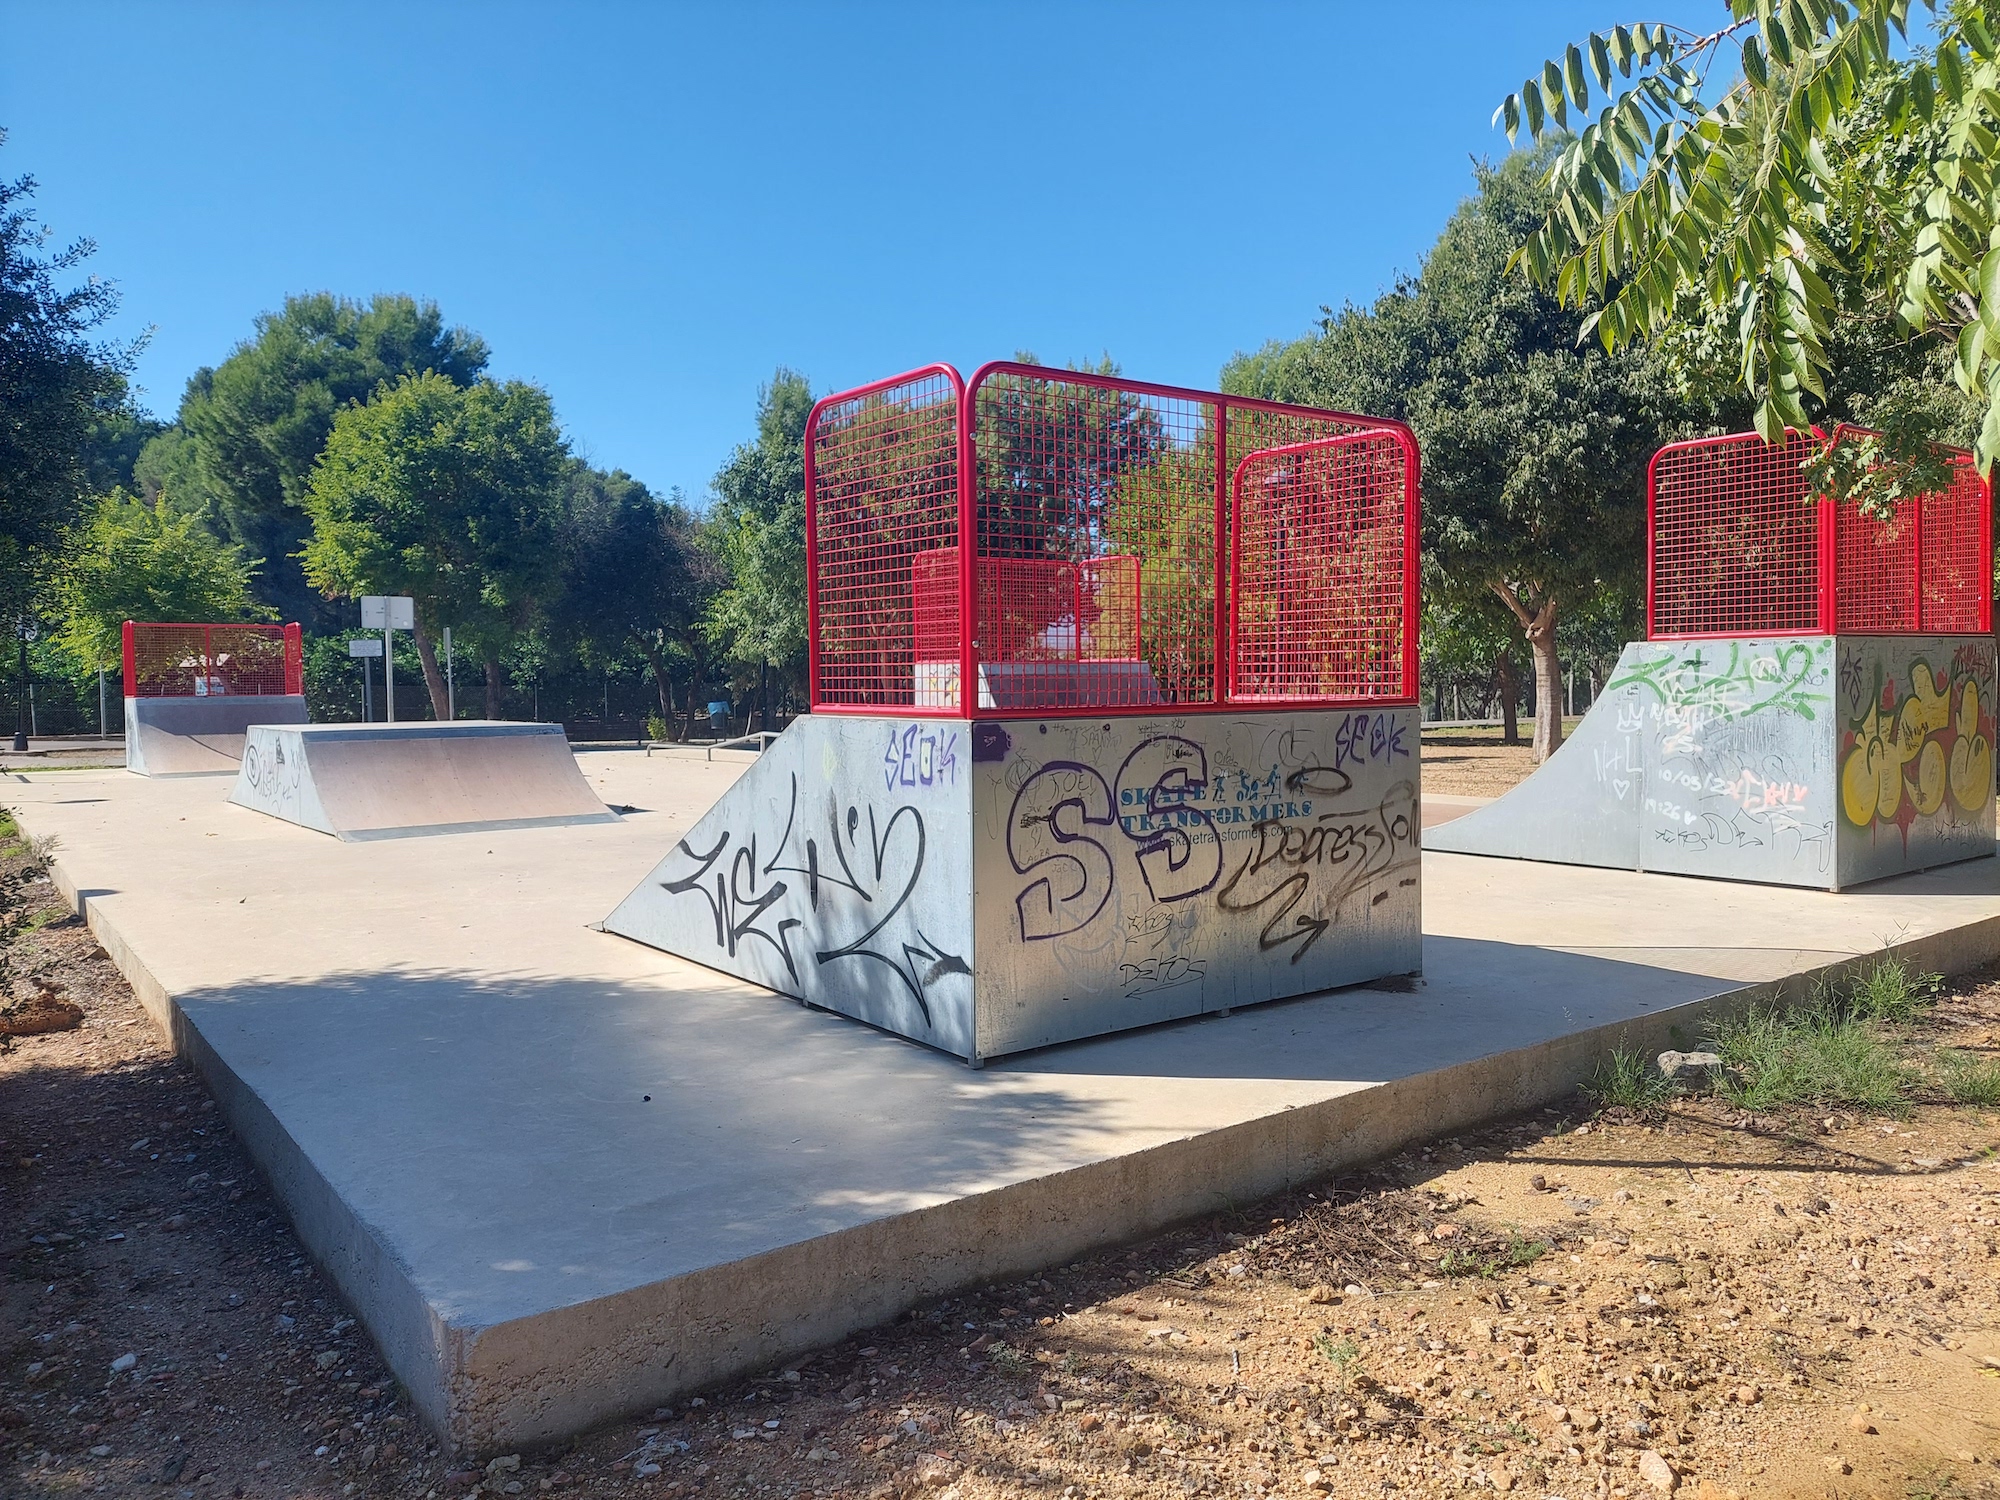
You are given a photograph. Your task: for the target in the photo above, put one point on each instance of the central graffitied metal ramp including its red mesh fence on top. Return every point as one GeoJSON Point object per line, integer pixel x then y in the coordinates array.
{"type": "Point", "coordinates": [1113, 717]}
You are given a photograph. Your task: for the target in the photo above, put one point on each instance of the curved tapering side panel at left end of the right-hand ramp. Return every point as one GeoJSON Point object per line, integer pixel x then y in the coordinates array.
{"type": "Point", "coordinates": [1583, 805]}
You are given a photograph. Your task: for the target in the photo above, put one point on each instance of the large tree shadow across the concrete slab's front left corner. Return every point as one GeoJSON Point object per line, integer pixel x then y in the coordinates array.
{"type": "Point", "coordinates": [533, 1141]}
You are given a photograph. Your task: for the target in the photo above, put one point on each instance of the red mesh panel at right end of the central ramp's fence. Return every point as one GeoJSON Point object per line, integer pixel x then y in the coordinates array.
{"type": "Point", "coordinates": [1319, 571]}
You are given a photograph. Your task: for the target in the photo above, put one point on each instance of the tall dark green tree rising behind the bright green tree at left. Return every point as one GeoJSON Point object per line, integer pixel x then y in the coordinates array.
{"type": "Point", "coordinates": [253, 429]}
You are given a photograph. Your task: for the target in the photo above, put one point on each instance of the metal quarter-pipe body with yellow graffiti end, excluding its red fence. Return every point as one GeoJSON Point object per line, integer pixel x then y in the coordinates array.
{"type": "Point", "coordinates": [1797, 761]}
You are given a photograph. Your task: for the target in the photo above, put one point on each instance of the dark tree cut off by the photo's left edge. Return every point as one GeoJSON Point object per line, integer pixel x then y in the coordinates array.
{"type": "Point", "coordinates": [57, 391]}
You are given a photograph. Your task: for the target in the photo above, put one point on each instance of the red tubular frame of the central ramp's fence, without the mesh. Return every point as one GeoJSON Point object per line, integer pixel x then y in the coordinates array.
{"type": "Point", "coordinates": [969, 557]}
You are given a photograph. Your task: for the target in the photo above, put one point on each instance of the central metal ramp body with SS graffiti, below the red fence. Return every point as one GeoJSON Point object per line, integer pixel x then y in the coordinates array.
{"type": "Point", "coordinates": [1003, 885]}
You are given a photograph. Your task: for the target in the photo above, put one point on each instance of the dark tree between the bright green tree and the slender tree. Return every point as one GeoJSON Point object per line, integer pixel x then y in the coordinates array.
{"type": "Point", "coordinates": [637, 579]}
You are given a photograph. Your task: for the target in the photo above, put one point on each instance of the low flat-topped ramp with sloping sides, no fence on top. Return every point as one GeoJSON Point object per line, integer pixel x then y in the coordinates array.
{"type": "Point", "coordinates": [401, 781]}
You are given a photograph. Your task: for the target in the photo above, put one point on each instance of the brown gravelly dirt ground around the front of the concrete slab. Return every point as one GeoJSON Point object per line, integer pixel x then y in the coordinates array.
{"type": "Point", "coordinates": [1563, 1305]}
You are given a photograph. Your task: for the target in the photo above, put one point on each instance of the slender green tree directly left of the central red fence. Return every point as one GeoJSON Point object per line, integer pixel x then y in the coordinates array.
{"type": "Point", "coordinates": [759, 531]}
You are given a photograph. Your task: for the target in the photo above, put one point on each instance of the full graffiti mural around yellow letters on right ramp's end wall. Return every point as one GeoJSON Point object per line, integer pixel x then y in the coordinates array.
{"type": "Point", "coordinates": [1917, 745]}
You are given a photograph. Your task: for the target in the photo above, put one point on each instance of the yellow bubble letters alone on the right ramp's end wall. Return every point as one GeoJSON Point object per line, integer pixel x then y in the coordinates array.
{"type": "Point", "coordinates": [1877, 773]}
